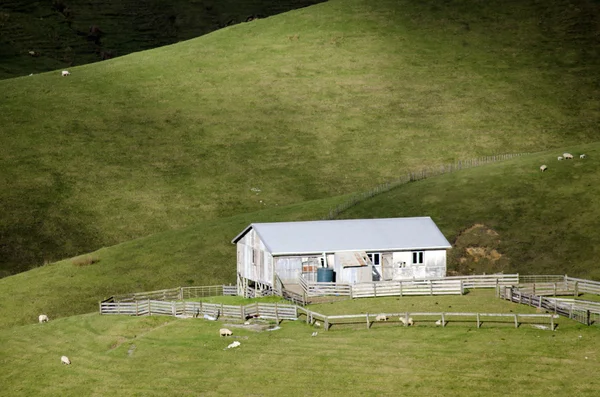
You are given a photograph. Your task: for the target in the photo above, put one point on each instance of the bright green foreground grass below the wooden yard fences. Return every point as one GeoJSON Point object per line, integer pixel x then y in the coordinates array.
{"type": "Point", "coordinates": [119, 355]}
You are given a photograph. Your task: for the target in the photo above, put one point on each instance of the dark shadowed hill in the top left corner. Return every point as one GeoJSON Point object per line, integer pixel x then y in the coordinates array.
{"type": "Point", "coordinates": [63, 33]}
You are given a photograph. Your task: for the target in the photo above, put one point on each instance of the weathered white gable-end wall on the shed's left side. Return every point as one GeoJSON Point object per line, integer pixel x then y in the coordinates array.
{"type": "Point", "coordinates": [254, 262]}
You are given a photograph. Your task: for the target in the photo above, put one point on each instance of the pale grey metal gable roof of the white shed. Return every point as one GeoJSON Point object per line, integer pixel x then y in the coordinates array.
{"type": "Point", "coordinates": [386, 234]}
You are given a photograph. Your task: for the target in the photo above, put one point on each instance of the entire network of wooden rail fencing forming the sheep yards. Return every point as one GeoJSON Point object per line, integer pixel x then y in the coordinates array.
{"type": "Point", "coordinates": [530, 290]}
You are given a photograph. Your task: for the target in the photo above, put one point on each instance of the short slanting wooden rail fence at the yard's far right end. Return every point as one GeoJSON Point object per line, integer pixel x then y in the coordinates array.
{"type": "Point", "coordinates": [572, 311]}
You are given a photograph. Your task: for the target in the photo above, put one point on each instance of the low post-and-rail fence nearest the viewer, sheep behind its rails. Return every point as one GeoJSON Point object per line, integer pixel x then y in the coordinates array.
{"type": "Point", "coordinates": [441, 318]}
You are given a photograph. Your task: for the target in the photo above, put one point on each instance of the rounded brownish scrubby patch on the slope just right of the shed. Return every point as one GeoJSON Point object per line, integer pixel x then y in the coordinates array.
{"type": "Point", "coordinates": [476, 250]}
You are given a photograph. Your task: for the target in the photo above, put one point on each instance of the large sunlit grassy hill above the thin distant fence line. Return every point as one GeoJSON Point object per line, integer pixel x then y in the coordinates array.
{"type": "Point", "coordinates": [313, 103]}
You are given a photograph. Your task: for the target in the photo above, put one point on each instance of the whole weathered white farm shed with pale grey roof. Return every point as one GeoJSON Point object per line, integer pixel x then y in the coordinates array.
{"type": "Point", "coordinates": [345, 251]}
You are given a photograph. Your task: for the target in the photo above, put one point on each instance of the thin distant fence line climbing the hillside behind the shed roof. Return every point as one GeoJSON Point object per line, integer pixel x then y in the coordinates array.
{"type": "Point", "coordinates": [416, 176]}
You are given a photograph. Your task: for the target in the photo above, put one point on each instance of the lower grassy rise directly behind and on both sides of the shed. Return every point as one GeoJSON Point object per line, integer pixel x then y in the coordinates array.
{"type": "Point", "coordinates": [539, 223]}
